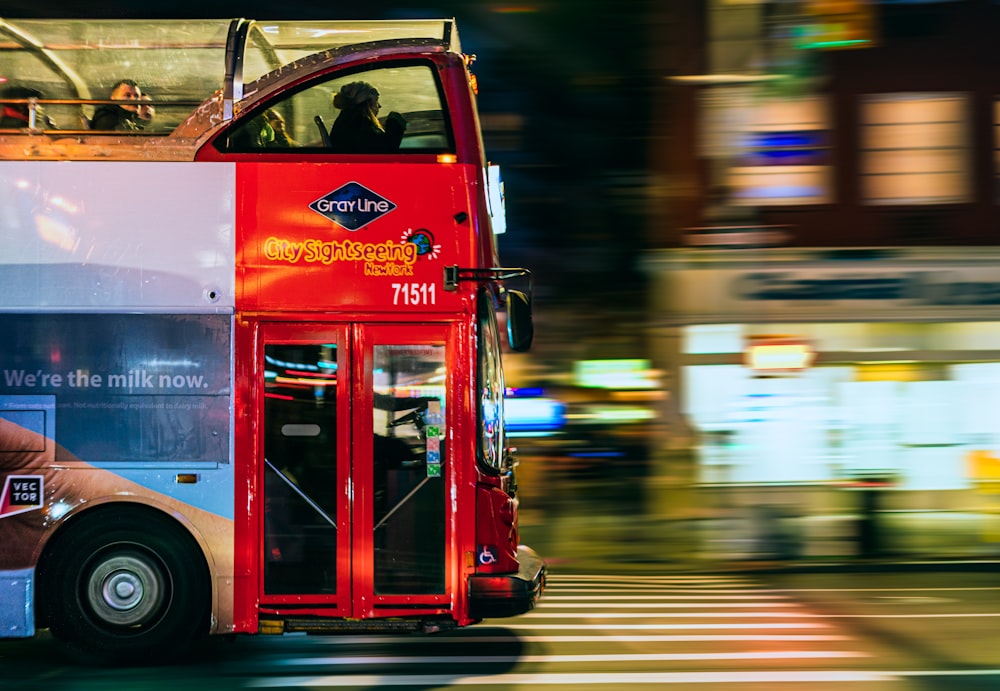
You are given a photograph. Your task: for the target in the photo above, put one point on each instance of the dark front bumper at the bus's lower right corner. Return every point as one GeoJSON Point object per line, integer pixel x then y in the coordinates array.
{"type": "Point", "coordinates": [507, 595]}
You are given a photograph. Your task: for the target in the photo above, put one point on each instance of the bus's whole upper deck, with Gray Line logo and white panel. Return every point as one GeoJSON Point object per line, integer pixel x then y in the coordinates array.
{"type": "Point", "coordinates": [204, 208]}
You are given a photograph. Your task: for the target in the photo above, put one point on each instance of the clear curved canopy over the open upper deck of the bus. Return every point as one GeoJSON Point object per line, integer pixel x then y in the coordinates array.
{"type": "Point", "coordinates": [181, 62]}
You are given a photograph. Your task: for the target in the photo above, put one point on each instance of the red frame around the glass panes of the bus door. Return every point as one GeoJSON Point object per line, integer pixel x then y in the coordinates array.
{"type": "Point", "coordinates": [355, 596]}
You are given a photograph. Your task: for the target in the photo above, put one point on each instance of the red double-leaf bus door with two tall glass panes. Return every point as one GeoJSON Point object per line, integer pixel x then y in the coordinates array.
{"type": "Point", "coordinates": [354, 468]}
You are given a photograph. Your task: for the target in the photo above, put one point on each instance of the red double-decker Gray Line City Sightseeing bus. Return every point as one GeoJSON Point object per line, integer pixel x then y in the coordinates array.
{"type": "Point", "coordinates": [250, 385]}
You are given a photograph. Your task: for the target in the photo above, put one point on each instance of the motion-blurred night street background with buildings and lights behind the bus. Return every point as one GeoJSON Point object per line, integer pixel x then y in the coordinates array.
{"type": "Point", "coordinates": [764, 237]}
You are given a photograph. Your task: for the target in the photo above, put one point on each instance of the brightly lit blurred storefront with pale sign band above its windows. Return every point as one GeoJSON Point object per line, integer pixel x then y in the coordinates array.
{"type": "Point", "coordinates": [905, 381]}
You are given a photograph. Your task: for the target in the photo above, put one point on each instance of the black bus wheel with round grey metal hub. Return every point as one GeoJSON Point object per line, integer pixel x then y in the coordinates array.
{"type": "Point", "coordinates": [125, 586]}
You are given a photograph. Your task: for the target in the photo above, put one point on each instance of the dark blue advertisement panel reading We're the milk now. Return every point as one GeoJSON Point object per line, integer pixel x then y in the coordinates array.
{"type": "Point", "coordinates": [127, 387]}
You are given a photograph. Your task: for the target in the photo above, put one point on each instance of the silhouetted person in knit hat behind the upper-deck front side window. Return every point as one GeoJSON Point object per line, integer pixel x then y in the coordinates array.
{"type": "Point", "coordinates": [357, 129]}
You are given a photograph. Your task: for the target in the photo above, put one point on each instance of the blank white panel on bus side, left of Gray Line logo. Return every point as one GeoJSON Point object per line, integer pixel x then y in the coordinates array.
{"type": "Point", "coordinates": [90, 236]}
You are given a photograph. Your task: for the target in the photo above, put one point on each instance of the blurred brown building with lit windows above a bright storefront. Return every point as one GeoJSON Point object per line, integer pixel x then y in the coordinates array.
{"type": "Point", "coordinates": [827, 195]}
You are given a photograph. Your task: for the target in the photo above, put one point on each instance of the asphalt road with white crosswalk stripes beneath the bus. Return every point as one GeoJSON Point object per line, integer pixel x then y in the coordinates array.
{"type": "Point", "coordinates": [740, 631]}
